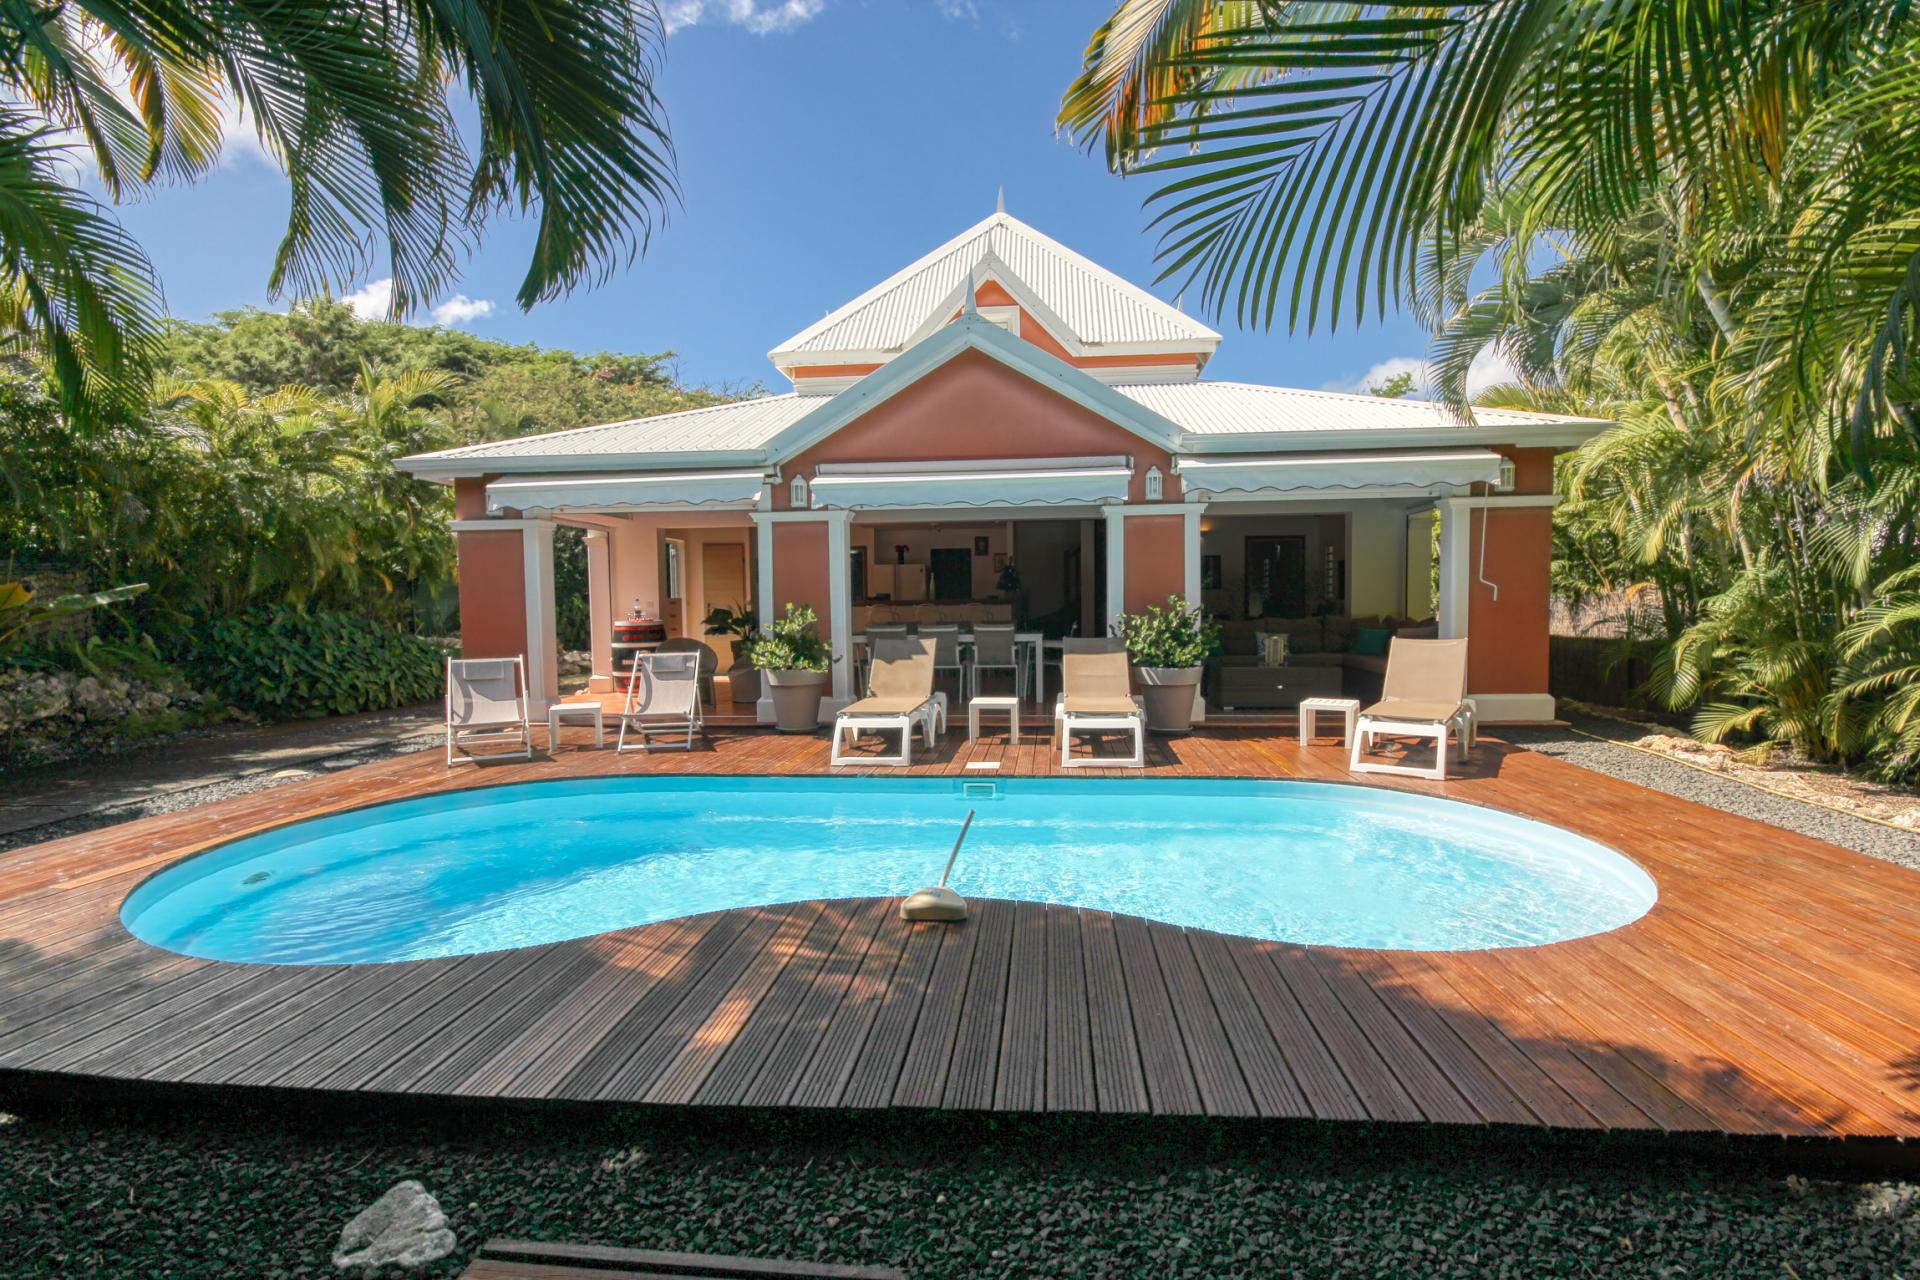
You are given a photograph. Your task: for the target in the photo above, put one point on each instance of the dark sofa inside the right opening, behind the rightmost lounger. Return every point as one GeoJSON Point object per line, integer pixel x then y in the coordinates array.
{"type": "Point", "coordinates": [1320, 661]}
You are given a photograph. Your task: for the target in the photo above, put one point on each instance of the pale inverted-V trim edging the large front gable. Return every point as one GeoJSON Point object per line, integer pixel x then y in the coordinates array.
{"type": "Point", "coordinates": [972, 335]}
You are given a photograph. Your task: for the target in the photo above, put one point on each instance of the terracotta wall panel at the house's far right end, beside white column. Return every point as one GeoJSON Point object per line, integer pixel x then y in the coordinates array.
{"type": "Point", "coordinates": [1508, 650]}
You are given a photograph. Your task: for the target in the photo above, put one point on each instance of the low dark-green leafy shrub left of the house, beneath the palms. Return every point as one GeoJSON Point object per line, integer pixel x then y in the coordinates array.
{"type": "Point", "coordinates": [289, 663]}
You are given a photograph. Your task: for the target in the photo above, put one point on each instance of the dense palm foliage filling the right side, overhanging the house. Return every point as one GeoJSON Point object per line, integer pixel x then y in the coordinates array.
{"type": "Point", "coordinates": [1702, 222]}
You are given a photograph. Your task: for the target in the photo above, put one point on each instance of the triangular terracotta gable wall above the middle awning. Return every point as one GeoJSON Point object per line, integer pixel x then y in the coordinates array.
{"type": "Point", "coordinates": [974, 408]}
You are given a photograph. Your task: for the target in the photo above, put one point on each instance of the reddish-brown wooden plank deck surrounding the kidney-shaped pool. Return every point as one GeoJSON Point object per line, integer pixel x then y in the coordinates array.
{"type": "Point", "coordinates": [1773, 991]}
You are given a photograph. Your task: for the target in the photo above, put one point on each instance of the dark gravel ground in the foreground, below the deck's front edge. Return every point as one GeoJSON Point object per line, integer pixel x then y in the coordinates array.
{"type": "Point", "coordinates": [156, 1191]}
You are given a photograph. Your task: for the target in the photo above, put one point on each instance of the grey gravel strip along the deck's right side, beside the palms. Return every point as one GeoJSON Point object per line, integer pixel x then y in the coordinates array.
{"type": "Point", "coordinates": [1721, 794]}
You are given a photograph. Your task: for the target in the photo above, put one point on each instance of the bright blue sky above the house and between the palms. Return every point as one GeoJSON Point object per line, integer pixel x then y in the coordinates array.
{"type": "Point", "coordinates": [823, 147]}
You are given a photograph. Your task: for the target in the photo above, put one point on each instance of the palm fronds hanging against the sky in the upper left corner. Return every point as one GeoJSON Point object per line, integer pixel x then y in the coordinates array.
{"type": "Point", "coordinates": [356, 101]}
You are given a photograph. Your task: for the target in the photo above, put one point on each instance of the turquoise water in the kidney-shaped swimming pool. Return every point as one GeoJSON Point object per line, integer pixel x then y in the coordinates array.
{"type": "Point", "coordinates": [539, 863]}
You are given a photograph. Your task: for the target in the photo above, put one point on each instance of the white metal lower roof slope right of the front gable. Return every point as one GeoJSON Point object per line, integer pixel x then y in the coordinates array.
{"type": "Point", "coordinates": [1255, 410]}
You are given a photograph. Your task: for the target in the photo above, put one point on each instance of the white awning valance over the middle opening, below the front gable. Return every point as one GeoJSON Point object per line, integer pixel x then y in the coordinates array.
{"type": "Point", "coordinates": [1013, 483]}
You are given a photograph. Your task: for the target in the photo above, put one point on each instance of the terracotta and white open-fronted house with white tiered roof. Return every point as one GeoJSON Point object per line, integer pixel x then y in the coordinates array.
{"type": "Point", "coordinates": [1005, 431]}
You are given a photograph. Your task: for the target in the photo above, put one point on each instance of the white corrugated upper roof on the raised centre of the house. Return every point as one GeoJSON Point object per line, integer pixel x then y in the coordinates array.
{"type": "Point", "coordinates": [1097, 308]}
